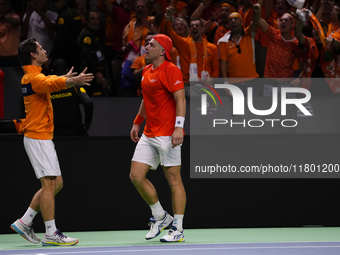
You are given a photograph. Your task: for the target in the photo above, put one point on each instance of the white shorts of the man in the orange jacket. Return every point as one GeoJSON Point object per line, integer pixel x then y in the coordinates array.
{"type": "Point", "coordinates": [43, 157]}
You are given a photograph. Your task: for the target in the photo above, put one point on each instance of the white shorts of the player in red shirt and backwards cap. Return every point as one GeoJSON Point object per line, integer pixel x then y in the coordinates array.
{"type": "Point", "coordinates": [155, 150]}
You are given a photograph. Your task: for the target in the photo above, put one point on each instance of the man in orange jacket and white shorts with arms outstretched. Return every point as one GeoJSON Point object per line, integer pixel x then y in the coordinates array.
{"type": "Point", "coordinates": [38, 133]}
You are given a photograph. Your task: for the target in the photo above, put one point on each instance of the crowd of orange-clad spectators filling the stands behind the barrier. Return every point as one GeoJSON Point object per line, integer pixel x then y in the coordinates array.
{"type": "Point", "coordinates": [227, 39]}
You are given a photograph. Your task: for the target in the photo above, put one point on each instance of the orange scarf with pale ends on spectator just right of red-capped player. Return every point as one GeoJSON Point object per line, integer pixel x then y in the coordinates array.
{"type": "Point", "coordinates": [193, 71]}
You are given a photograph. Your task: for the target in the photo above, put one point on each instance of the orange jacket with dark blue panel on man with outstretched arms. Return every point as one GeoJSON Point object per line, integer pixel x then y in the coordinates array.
{"type": "Point", "coordinates": [36, 89]}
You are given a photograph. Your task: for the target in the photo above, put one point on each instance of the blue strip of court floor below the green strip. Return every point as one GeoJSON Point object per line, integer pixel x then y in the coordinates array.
{"type": "Point", "coordinates": [324, 248]}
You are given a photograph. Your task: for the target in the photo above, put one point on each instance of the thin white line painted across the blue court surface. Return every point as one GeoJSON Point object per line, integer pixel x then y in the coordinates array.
{"type": "Point", "coordinates": [187, 249]}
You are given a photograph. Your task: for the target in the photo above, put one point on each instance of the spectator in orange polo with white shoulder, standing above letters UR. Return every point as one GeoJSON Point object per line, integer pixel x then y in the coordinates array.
{"type": "Point", "coordinates": [237, 53]}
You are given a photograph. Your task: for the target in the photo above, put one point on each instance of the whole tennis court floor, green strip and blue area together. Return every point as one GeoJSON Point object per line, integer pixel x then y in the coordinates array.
{"type": "Point", "coordinates": [247, 241]}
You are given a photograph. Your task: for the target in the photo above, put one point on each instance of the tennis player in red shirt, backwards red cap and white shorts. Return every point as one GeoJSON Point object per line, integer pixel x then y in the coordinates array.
{"type": "Point", "coordinates": [164, 108]}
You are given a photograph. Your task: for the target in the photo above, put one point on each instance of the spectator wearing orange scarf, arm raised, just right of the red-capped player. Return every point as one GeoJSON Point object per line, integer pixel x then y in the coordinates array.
{"type": "Point", "coordinates": [197, 54]}
